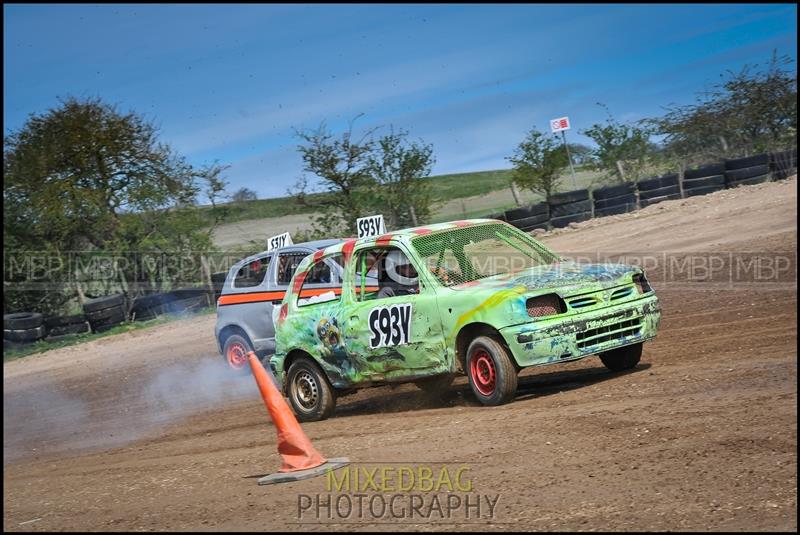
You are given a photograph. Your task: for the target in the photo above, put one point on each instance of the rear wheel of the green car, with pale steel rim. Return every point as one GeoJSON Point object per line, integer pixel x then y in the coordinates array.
{"type": "Point", "coordinates": [310, 393]}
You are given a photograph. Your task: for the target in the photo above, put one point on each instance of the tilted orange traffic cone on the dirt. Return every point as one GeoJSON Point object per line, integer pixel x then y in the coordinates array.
{"type": "Point", "coordinates": [300, 459]}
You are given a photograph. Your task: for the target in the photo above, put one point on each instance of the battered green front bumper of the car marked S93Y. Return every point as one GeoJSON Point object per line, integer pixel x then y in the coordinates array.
{"type": "Point", "coordinates": [561, 339]}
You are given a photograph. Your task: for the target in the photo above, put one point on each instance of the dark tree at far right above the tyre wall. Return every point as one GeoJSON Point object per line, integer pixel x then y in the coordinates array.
{"type": "Point", "coordinates": [752, 111]}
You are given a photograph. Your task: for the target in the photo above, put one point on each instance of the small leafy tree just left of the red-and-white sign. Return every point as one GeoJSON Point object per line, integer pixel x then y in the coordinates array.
{"type": "Point", "coordinates": [538, 161]}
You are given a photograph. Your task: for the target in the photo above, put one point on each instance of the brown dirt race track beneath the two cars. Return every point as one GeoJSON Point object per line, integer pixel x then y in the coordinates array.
{"type": "Point", "coordinates": [702, 435]}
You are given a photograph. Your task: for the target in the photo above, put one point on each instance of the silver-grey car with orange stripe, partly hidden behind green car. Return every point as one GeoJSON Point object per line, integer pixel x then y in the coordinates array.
{"type": "Point", "coordinates": [254, 287]}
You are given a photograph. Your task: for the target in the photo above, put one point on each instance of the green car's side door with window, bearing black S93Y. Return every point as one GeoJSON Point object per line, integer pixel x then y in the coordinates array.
{"type": "Point", "coordinates": [392, 336]}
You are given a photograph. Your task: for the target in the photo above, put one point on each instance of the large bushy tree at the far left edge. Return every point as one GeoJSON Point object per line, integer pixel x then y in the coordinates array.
{"type": "Point", "coordinates": [83, 179]}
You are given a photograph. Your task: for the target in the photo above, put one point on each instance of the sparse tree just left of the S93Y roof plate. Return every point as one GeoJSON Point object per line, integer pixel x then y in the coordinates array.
{"type": "Point", "coordinates": [342, 164]}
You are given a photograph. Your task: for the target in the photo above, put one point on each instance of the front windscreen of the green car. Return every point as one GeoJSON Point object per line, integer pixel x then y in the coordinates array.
{"type": "Point", "coordinates": [475, 252]}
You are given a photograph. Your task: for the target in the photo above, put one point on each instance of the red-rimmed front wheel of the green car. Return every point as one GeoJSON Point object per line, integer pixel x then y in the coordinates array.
{"type": "Point", "coordinates": [491, 372]}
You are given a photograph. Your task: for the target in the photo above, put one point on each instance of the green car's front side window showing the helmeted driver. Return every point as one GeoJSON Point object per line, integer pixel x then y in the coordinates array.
{"type": "Point", "coordinates": [383, 273]}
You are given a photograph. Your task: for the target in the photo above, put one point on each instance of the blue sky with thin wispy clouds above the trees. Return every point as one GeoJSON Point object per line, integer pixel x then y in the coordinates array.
{"type": "Point", "coordinates": [232, 82]}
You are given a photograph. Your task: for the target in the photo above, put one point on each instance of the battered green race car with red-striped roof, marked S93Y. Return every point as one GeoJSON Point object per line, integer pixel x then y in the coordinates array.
{"type": "Point", "coordinates": [477, 296]}
